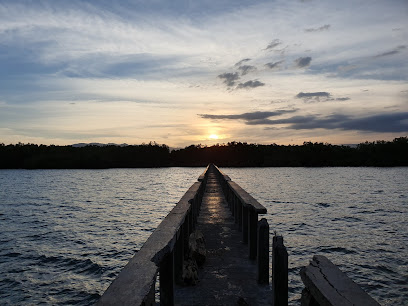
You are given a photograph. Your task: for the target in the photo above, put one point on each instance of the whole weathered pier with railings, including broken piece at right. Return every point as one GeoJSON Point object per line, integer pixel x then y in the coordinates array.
{"type": "Point", "coordinates": [212, 249]}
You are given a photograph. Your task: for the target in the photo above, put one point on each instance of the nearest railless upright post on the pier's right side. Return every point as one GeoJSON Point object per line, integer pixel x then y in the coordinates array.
{"type": "Point", "coordinates": [279, 272]}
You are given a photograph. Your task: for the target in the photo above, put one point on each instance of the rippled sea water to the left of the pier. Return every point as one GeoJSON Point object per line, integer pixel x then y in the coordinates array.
{"type": "Point", "coordinates": [66, 234]}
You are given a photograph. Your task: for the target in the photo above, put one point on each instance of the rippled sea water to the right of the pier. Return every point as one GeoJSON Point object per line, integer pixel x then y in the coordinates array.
{"type": "Point", "coordinates": [357, 217]}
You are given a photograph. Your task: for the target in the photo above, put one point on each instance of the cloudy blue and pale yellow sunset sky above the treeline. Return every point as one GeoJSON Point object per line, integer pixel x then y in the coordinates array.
{"type": "Point", "coordinates": [185, 72]}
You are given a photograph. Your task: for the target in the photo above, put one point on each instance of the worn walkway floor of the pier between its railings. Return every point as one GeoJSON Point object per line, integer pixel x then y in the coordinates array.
{"type": "Point", "coordinates": [228, 276]}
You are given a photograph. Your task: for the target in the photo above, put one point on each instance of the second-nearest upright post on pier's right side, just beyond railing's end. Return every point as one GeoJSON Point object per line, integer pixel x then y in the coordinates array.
{"type": "Point", "coordinates": [263, 252]}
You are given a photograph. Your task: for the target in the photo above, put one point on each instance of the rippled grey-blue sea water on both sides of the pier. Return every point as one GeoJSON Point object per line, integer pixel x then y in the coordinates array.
{"type": "Point", "coordinates": [66, 234]}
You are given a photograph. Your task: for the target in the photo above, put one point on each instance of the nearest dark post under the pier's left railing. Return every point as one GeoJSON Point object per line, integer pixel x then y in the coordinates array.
{"type": "Point", "coordinates": [167, 280]}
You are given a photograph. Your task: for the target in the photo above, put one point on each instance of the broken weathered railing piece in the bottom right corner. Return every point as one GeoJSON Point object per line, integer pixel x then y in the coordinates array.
{"type": "Point", "coordinates": [330, 286]}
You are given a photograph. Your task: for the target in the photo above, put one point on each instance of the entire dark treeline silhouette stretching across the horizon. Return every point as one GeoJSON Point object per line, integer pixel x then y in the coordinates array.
{"type": "Point", "coordinates": [233, 154]}
